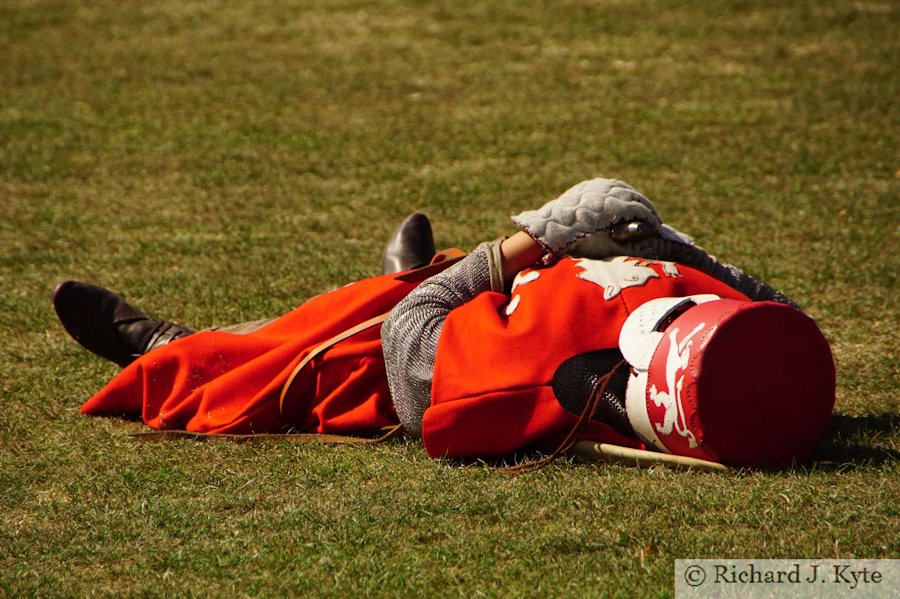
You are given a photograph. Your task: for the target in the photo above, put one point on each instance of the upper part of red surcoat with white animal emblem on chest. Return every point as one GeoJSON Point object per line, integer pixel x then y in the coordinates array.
{"type": "Point", "coordinates": [497, 355]}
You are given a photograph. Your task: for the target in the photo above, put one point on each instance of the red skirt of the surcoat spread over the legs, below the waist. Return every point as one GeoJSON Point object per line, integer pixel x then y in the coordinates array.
{"type": "Point", "coordinates": [219, 382]}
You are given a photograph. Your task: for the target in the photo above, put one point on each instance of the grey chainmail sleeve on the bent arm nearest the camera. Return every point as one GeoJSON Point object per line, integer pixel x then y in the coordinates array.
{"type": "Point", "coordinates": [411, 332]}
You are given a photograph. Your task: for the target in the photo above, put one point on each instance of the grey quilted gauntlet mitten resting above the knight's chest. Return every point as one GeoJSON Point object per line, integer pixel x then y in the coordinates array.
{"type": "Point", "coordinates": [596, 219]}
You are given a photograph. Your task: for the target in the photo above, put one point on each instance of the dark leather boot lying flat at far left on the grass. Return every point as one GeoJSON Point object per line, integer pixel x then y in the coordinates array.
{"type": "Point", "coordinates": [107, 325]}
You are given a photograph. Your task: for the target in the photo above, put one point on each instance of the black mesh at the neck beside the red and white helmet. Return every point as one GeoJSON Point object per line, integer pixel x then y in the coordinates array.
{"type": "Point", "coordinates": [576, 377]}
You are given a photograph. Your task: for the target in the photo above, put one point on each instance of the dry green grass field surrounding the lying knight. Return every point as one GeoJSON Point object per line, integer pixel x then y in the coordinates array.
{"type": "Point", "coordinates": [220, 161]}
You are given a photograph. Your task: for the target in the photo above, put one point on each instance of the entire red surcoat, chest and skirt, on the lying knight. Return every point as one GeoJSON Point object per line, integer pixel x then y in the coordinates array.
{"type": "Point", "coordinates": [492, 384]}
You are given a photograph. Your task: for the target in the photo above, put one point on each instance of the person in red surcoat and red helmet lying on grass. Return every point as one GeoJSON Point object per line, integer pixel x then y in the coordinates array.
{"type": "Point", "coordinates": [595, 321]}
